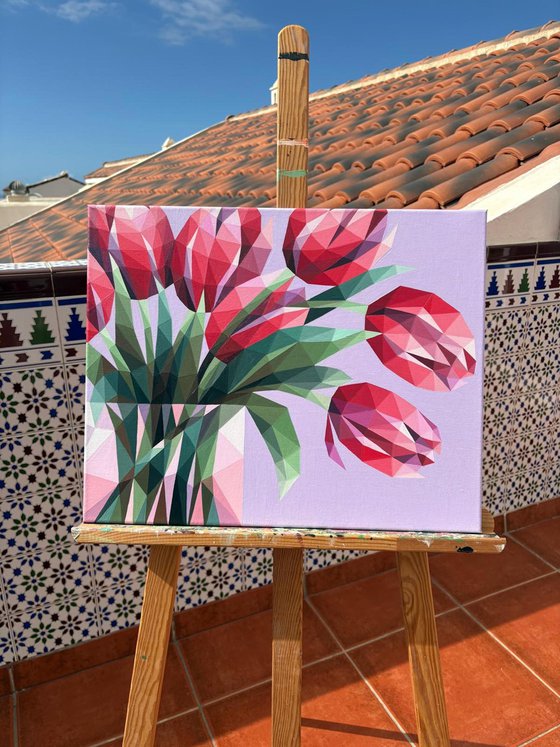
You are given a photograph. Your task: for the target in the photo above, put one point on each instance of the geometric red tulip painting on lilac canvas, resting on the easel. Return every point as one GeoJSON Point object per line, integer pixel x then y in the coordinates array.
{"type": "Point", "coordinates": [285, 367]}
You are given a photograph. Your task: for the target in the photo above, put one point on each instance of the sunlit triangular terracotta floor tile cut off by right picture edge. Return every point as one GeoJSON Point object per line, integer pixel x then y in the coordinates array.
{"type": "Point", "coordinates": [527, 620]}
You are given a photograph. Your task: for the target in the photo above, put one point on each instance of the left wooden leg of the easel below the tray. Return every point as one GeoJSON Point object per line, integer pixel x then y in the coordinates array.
{"type": "Point", "coordinates": [151, 648]}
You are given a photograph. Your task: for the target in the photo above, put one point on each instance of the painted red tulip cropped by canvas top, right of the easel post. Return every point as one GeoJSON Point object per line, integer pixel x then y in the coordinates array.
{"type": "Point", "coordinates": [329, 248]}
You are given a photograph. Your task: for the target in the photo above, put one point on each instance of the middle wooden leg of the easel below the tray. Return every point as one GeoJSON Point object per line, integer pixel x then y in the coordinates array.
{"type": "Point", "coordinates": [287, 617]}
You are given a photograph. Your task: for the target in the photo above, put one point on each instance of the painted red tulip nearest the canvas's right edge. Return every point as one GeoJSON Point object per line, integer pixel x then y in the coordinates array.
{"type": "Point", "coordinates": [422, 339]}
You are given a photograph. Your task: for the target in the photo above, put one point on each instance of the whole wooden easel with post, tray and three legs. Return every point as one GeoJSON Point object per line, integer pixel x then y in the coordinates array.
{"type": "Point", "coordinates": [288, 544]}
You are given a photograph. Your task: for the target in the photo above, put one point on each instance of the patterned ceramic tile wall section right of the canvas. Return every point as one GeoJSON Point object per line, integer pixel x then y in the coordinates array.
{"type": "Point", "coordinates": [522, 381]}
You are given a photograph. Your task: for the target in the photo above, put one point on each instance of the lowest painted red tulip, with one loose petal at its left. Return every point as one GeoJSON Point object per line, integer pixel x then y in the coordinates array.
{"type": "Point", "coordinates": [382, 429]}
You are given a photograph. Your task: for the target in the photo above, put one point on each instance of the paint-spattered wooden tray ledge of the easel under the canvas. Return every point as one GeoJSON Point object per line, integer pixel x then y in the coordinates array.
{"type": "Point", "coordinates": [487, 542]}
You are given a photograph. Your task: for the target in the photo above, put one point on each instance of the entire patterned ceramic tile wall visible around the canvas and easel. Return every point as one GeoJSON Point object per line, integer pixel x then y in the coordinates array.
{"type": "Point", "coordinates": [54, 593]}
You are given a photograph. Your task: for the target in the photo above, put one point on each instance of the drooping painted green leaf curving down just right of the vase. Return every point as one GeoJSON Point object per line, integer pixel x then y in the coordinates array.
{"type": "Point", "coordinates": [275, 426]}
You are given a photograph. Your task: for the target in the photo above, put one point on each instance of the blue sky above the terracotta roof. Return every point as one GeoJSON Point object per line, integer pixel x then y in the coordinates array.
{"type": "Point", "coordinates": [84, 81]}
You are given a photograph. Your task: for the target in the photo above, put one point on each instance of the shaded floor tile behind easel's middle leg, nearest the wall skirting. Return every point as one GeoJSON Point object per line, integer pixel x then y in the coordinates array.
{"type": "Point", "coordinates": [237, 655]}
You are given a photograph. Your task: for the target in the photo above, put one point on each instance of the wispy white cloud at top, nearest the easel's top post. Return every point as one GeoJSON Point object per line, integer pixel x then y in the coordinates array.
{"type": "Point", "coordinates": [214, 18]}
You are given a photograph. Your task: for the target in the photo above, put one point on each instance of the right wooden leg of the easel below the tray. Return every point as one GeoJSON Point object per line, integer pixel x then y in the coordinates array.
{"type": "Point", "coordinates": [423, 650]}
